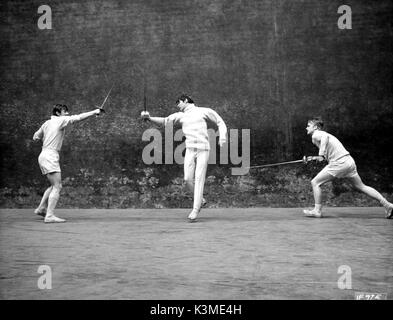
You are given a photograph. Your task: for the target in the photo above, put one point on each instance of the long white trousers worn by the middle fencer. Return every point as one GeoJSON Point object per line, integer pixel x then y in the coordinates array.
{"type": "Point", "coordinates": [195, 166]}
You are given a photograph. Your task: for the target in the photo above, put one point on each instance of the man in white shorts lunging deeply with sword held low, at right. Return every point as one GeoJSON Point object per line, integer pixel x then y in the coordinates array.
{"type": "Point", "coordinates": [340, 165]}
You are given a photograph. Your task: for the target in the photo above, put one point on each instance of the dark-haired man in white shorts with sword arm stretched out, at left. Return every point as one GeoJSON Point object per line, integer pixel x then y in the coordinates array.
{"type": "Point", "coordinates": [52, 135]}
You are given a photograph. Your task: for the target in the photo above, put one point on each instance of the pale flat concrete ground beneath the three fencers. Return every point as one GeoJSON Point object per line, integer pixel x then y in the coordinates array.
{"type": "Point", "coordinates": [258, 253]}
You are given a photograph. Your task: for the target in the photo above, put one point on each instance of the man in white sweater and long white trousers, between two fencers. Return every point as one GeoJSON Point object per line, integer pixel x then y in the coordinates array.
{"type": "Point", "coordinates": [193, 120]}
